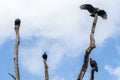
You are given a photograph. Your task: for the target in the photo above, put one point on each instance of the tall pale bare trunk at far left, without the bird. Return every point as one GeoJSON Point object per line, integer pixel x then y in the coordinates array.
{"type": "Point", "coordinates": [16, 65]}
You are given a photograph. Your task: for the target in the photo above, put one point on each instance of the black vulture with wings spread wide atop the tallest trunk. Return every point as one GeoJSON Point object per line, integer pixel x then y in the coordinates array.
{"type": "Point", "coordinates": [94, 10]}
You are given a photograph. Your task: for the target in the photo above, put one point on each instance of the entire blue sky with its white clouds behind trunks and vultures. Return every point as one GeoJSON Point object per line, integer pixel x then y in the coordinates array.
{"type": "Point", "coordinates": [61, 29]}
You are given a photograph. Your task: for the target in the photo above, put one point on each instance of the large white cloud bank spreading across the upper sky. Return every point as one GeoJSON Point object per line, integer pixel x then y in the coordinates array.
{"type": "Point", "coordinates": [59, 25]}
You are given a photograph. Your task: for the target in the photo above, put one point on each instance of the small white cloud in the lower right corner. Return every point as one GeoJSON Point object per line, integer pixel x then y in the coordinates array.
{"type": "Point", "coordinates": [115, 72]}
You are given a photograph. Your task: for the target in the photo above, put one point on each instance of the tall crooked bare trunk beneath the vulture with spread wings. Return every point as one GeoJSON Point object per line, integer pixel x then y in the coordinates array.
{"type": "Point", "coordinates": [88, 50]}
